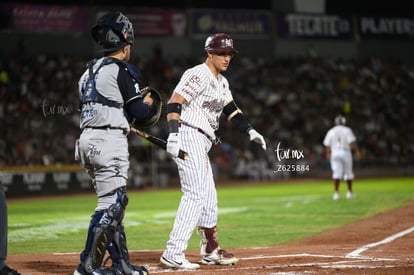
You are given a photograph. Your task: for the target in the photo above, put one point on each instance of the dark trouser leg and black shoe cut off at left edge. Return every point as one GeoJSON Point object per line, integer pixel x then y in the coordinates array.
{"type": "Point", "coordinates": [4, 268]}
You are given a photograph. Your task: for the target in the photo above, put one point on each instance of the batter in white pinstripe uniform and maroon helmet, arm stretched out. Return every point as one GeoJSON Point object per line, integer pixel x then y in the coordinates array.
{"type": "Point", "coordinates": [193, 113]}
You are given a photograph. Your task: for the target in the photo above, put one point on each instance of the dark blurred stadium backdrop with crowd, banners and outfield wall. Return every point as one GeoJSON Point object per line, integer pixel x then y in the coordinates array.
{"type": "Point", "coordinates": [300, 63]}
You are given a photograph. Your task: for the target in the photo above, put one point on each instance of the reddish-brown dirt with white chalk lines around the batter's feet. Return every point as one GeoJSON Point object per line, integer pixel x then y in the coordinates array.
{"type": "Point", "coordinates": [383, 244]}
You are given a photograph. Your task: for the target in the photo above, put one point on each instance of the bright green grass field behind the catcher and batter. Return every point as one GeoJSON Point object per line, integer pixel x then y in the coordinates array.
{"type": "Point", "coordinates": [252, 215]}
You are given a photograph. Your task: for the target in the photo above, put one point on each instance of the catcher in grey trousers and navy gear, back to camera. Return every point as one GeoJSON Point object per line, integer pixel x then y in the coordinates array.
{"type": "Point", "coordinates": [110, 102]}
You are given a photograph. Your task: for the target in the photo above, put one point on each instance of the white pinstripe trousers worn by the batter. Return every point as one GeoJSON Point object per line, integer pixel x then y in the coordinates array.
{"type": "Point", "coordinates": [198, 204]}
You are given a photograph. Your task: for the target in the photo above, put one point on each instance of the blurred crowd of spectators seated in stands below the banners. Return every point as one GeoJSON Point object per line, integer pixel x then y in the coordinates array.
{"type": "Point", "coordinates": [291, 101]}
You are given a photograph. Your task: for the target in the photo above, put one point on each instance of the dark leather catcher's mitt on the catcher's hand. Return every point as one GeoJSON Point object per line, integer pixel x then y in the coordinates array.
{"type": "Point", "coordinates": [155, 111]}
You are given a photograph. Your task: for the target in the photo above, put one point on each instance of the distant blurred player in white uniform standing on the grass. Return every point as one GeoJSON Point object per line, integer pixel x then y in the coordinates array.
{"type": "Point", "coordinates": [339, 141]}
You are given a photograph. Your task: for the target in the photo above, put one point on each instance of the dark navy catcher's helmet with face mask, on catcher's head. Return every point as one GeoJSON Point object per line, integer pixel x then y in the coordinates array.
{"type": "Point", "coordinates": [113, 31]}
